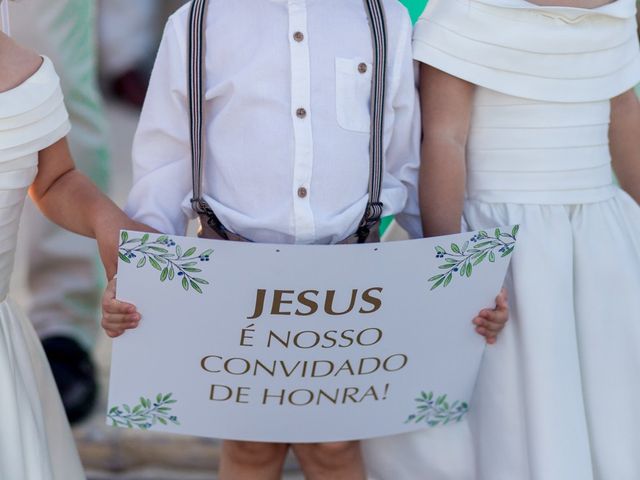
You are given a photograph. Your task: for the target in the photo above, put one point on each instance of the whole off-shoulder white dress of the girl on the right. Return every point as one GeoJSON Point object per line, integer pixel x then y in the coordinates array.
{"type": "Point", "coordinates": [557, 397]}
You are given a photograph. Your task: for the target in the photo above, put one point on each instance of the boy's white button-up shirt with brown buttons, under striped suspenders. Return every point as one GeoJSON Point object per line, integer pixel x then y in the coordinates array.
{"type": "Point", "coordinates": [288, 85]}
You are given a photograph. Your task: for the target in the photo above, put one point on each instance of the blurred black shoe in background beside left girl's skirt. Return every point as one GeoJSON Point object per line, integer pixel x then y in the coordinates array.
{"type": "Point", "coordinates": [75, 376]}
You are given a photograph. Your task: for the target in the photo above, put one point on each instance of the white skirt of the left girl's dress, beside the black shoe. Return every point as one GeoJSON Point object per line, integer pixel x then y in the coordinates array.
{"type": "Point", "coordinates": [35, 440]}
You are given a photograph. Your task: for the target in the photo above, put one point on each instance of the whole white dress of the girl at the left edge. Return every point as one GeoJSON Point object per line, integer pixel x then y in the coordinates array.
{"type": "Point", "coordinates": [35, 438]}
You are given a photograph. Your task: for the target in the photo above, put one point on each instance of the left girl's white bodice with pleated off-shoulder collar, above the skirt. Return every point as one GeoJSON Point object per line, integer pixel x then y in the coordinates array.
{"type": "Point", "coordinates": [32, 117]}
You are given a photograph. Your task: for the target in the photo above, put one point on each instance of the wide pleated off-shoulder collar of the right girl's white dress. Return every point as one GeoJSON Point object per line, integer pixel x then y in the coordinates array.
{"type": "Point", "coordinates": [553, 54]}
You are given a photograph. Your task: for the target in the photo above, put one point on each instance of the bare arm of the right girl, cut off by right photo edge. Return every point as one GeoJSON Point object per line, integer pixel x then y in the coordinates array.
{"type": "Point", "coordinates": [624, 134]}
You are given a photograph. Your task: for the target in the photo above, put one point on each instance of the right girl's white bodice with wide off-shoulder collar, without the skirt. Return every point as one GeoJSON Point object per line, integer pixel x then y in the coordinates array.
{"type": "Point", "coordinates": [545, 77]}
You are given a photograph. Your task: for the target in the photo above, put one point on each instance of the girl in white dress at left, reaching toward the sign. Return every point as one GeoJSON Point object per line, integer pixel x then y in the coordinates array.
{"type": "Point", "coordinates": [35, 439]}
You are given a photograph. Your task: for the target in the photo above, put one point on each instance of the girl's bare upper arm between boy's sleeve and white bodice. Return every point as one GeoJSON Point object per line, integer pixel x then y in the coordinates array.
{"type": "Point", "coordinates": [446, 112]}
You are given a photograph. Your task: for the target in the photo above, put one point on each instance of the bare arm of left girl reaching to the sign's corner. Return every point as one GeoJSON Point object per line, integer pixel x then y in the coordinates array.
{"type": "Point", "coordinates": [71, 200]}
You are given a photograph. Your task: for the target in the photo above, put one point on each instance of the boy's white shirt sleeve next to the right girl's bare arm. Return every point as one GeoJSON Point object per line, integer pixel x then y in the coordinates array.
{"type": "Point", "coordinates": [403, 150]}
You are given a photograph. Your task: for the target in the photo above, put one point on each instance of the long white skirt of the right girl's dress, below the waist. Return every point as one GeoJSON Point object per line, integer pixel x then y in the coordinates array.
{"type": "Point", "coordinates": [557, 396]}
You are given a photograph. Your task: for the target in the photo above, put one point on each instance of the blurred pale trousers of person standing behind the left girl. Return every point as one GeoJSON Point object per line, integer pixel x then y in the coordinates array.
{"type": "Point", "coordinates": [64, 276]}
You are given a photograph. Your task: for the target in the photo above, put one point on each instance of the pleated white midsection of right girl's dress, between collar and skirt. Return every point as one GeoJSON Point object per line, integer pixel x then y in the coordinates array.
{"type": "Point", "coordinates": [536, 152]}
